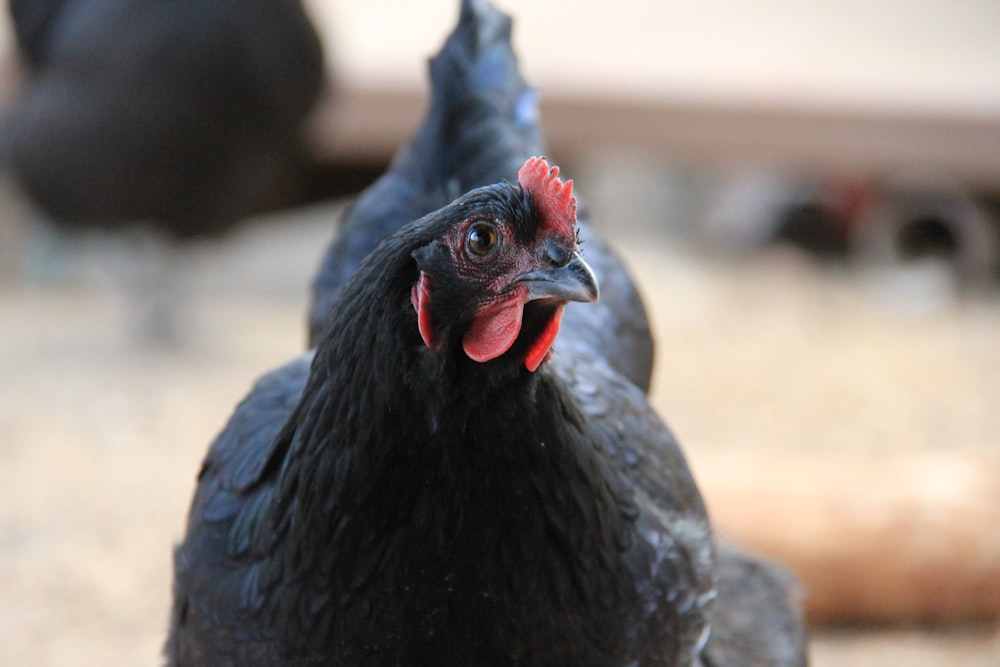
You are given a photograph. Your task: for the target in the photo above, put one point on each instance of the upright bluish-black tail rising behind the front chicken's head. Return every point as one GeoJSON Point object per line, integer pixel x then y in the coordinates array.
{"type": "Point", "coordinates": [482, 123]}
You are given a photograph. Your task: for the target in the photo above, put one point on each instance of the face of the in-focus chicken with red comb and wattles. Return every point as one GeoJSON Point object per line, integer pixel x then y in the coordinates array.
{"type": "Point", "coordinates": [501, 276]}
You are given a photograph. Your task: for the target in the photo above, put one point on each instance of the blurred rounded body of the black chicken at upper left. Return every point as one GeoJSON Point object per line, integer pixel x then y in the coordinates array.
{"type": "Point", "coordinates": [180, 113]}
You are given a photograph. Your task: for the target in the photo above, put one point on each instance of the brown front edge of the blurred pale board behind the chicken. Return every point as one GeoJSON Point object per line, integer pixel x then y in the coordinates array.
{"type": "Point", "coordinates": [368, 124]}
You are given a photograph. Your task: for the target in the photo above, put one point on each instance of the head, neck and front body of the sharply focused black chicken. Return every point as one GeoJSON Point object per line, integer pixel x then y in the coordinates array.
{"type": "Point", "coordinates": [438, 484]}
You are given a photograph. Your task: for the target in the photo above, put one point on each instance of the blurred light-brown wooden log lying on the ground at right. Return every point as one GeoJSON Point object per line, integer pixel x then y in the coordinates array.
{"type": "Point", "coordinates": [891, 538]}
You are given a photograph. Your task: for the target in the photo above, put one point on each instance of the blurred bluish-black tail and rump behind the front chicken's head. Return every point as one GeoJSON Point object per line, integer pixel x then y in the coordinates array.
{"type": "Point", "coordinates": [482, 124]}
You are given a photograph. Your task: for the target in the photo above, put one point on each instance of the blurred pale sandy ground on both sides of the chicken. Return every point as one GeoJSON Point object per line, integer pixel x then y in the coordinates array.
{"type": "Point", "coordinates": [101, 436]}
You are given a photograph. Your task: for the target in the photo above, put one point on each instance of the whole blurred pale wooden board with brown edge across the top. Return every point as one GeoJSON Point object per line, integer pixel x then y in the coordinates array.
{"type": "Point", "coordinates": [846, 87]}
